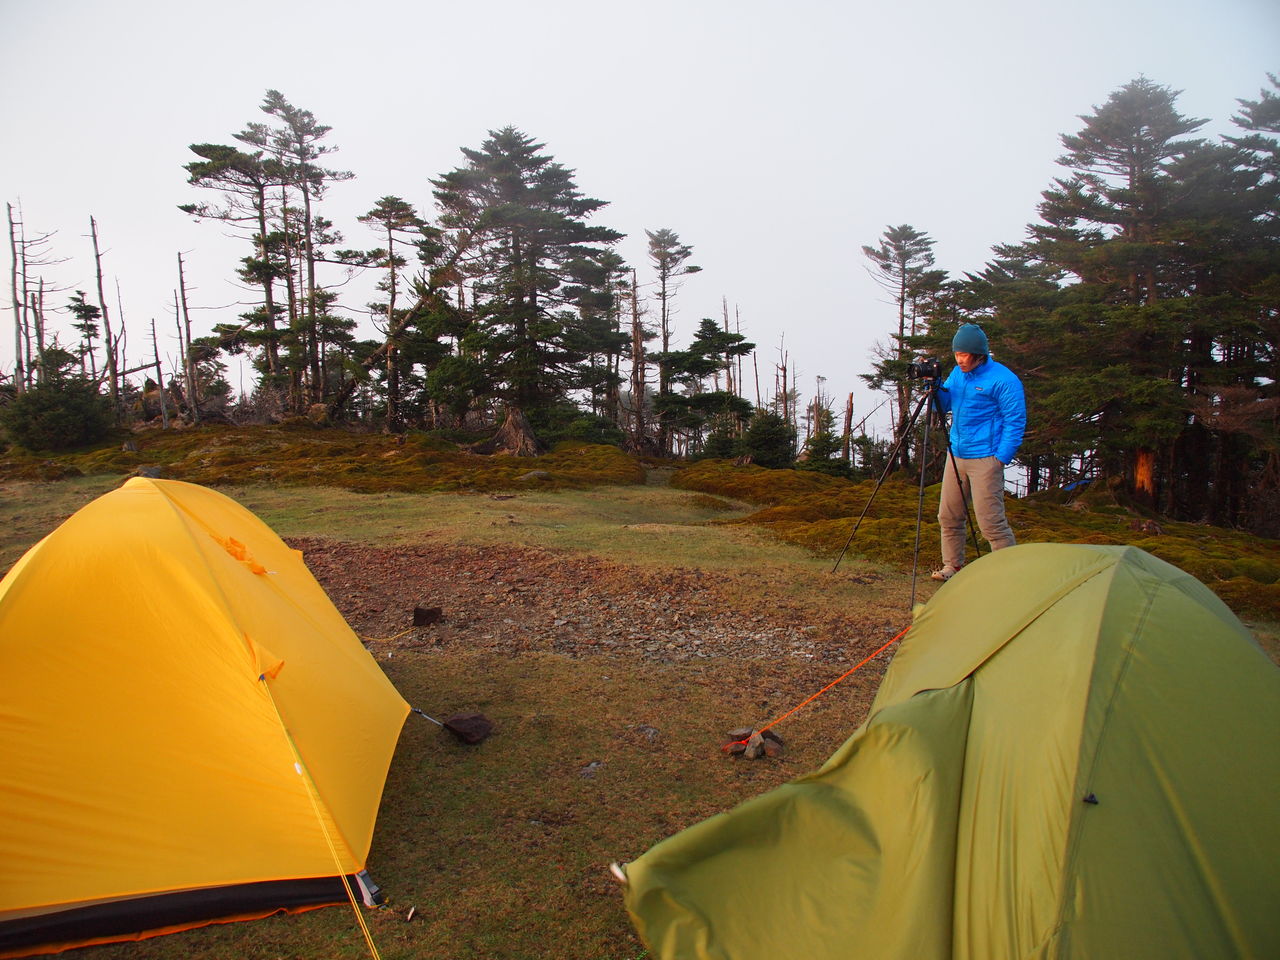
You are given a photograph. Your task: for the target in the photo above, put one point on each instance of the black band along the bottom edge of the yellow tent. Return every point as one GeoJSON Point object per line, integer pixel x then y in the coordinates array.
{"type": "Point", "coordinates": [131, 920]}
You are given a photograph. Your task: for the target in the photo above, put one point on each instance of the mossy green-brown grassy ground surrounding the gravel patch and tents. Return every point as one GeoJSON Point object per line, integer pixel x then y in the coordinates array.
{"type": "Point", "coordinates": [501, 851]}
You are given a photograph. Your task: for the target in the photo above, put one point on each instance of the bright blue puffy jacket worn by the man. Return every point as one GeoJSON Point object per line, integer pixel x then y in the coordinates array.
{"type": "Point", "coordinates": [989, 412]}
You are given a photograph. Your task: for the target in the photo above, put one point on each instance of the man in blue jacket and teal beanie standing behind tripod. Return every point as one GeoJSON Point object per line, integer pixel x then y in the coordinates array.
{"type": "Point", "coordinates": [989, 417]}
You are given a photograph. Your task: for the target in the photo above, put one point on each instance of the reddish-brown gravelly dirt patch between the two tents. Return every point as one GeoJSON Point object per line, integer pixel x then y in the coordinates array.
{"type": "Point", "coordinates": [518, 600]}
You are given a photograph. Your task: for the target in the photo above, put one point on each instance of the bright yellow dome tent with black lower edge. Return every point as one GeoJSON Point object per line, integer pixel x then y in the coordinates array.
{"type": "Point", "coordinates": [189, 729]}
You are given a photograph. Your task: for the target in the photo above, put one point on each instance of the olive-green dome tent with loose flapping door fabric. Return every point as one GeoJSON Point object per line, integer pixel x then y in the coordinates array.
{"type": "Point", "coordinates": [1076, 753]}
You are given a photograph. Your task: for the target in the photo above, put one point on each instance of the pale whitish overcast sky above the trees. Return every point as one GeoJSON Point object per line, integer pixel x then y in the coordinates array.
{"type": "Point", "coordinates": [775, 139]}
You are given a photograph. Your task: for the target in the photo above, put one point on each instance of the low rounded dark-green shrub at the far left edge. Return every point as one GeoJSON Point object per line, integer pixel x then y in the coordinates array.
{"type": "Point", "coordinates": [58, 415]}
